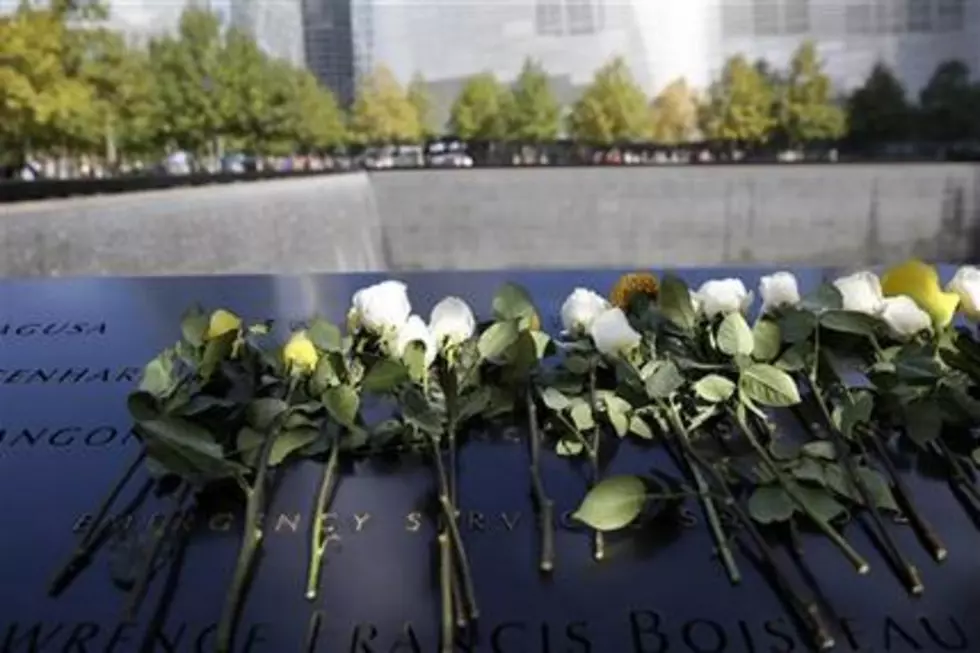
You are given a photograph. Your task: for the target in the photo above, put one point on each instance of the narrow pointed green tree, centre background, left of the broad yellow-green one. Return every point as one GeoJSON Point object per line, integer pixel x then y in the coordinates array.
{"type": "Point", "coordinates": [533, 112]}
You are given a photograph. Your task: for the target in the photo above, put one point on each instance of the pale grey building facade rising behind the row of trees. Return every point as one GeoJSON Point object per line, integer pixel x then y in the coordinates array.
{"type": "Point", "coordinates": [446, 41]}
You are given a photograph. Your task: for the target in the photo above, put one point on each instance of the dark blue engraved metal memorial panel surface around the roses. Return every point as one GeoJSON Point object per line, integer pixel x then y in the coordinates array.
{"type": "Point", "coordinates": [659, 590]}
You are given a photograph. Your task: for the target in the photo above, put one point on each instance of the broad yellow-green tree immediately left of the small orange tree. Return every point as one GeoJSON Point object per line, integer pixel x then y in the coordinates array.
{"type": "Point", "coordinates": [612, 109]}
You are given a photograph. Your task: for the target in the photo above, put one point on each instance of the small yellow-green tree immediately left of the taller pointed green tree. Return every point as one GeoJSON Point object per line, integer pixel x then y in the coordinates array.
{"type": "Point", "coordinates": [481, 109]}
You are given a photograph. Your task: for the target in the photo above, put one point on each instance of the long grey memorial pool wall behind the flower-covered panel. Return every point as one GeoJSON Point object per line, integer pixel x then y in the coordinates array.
{"type": "Point", "coordinates": [841, 215]}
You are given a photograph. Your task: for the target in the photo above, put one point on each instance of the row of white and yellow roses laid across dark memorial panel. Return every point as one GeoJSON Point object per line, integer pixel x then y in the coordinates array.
{"type": "Point", "coordinates": [862, 364]}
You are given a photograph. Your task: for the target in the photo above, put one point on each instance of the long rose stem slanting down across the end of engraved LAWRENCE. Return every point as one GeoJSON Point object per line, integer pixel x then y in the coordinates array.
{"type": "Point", "coordinates": [251, 540]}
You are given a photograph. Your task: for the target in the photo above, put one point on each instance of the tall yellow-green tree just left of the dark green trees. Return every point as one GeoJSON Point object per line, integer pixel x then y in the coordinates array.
{"type": "Point", "coordinates": [806, 107]}
